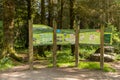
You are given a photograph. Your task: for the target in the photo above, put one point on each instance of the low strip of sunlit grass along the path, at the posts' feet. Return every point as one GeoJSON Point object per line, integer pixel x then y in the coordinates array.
{"type": "Point", "coordinates": [87, 65]}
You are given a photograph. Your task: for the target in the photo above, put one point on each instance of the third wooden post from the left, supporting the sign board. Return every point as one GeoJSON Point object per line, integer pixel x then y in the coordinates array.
{"type": "Point", "coordinates": [77, 45]}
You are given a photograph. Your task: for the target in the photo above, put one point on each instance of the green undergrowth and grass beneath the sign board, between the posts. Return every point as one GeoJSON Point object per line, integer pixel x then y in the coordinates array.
{"type": "Point", "coordinates": [64, 59]}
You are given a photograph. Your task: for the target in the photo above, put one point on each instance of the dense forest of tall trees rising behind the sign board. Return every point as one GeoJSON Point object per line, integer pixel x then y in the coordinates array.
{"type": "Point", "coordinates": [15, 16]}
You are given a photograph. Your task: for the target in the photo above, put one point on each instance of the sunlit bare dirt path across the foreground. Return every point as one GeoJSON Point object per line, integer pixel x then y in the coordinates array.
{"type": "Point", "coordinates": [63, 73]}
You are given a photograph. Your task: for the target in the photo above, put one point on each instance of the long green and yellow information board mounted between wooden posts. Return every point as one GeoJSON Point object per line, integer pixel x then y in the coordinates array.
{"type": "Point", "coordinates": [44, 36]}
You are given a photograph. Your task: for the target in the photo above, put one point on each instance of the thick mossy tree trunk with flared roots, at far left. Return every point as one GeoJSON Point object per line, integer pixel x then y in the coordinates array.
{"type": "Point", "coordinates": [8, 29]}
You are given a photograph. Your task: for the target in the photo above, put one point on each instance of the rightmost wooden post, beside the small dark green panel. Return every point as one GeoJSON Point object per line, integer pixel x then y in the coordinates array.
{"type": "Point", "coordinates": [102, 48]}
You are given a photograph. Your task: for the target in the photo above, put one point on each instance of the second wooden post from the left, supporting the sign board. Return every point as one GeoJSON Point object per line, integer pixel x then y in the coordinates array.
{"type": "Point", "coordinates": [54, 43]}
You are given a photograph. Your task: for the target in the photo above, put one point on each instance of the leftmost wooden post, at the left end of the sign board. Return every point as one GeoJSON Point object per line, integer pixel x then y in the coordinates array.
{"type": "Point", "coordinates": [30, 45]}
